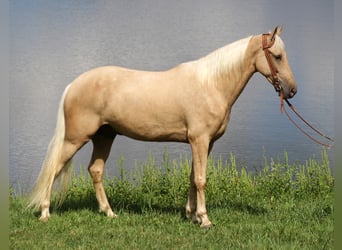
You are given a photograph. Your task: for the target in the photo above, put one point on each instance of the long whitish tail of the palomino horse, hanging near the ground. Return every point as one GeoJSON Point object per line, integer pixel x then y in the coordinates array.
{"type": "Point", "coordinates": [43, 185]}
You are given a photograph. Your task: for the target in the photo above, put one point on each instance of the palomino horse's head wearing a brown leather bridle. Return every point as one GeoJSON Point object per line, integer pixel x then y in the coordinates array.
{"type": "Point", "coordinates": [271, 61]}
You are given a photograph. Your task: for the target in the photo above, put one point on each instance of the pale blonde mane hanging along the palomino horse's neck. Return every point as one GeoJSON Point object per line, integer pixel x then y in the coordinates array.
{"type": "Point", "coordinates": [223, 63]}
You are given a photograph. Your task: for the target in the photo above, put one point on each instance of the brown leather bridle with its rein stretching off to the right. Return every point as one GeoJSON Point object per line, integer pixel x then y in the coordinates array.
{"type": "Point", "coordinates": [278, 88]}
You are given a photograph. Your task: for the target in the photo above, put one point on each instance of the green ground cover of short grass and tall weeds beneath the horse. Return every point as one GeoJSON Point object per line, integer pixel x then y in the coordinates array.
{"type": "Point", "coordinates": [281, 206]}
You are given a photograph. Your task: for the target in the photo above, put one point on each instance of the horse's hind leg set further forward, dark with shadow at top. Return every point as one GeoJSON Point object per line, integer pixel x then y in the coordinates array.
{"type": "Point", "coordinates": [102, 142]}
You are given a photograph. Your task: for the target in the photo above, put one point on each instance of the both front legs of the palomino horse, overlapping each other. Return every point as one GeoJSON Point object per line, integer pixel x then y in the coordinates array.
{"type": "Point", "coordinates": [200, 149]}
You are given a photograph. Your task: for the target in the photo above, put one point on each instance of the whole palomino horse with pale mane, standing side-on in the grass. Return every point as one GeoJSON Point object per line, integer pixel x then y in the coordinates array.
{"type": "Point", "coordinates": [190, 103]}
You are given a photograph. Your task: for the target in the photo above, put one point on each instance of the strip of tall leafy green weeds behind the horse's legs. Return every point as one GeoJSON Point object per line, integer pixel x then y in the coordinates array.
{"type": "Point", "coordinates": [165, 186]}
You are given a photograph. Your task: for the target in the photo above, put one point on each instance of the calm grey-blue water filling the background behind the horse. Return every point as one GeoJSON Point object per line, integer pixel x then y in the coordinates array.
{"type": "Point", "coordinates": [52, 42]}
